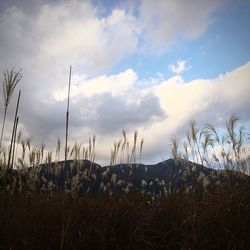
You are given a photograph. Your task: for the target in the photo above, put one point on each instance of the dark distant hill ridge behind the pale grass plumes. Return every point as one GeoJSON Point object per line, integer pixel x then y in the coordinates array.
{"type": "Point", "coordinates": [157, 180]}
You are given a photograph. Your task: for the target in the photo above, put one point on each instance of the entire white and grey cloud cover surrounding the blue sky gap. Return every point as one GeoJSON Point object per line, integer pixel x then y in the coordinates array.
{"type": "Point", "coordinates": [44, 41]}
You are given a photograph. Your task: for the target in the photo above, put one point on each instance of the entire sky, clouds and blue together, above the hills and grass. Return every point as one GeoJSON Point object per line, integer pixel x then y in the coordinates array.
{"type": "Point", "coordinates": [150, 66]}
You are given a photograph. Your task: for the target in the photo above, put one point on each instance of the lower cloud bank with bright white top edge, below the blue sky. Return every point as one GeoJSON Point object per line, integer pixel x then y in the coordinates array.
{"type": "Point", "coordinates": [158, 112]}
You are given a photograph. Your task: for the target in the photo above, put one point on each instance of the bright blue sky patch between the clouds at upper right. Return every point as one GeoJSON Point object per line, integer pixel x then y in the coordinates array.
{"type": "Point", "coordinates": [224, 46]}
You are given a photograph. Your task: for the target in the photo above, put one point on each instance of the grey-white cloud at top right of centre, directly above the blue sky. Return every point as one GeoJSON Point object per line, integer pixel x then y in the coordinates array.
{"type": "Point", "coordinates": [164, 21]}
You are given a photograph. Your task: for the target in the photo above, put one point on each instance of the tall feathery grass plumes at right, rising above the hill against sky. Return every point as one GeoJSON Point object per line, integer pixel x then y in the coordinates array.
{"type": "Point", "coordinates": [224, 149]}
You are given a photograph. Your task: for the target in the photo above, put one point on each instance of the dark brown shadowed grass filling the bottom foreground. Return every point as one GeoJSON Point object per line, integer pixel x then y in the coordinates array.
{"type": "Point", "coordinates": [220, 220]}
